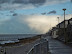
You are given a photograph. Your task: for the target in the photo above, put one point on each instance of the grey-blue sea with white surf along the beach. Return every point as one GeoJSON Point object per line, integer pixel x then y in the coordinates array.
{"type": "Point", "coordinates": [11, 38]}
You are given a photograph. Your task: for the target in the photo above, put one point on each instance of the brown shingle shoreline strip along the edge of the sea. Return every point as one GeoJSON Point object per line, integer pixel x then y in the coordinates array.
{"type": "Point", "coordinates": [22, 41]}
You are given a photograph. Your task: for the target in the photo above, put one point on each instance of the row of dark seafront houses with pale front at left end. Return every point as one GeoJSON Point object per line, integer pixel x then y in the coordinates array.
{"type": "Point", "coordinates": [58, 31]}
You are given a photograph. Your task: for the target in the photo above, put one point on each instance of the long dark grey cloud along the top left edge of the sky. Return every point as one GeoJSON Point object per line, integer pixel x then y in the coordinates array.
{"type": "Point", "coordinates": [39, 2]}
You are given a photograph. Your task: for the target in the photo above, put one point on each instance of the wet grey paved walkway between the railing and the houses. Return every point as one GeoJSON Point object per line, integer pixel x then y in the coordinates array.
{"type": "Point", "coordinates": [57, 47]}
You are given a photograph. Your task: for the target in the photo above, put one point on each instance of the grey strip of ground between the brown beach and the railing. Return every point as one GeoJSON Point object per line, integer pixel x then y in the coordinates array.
{"type": "Point", "coordinates": [22, 49]}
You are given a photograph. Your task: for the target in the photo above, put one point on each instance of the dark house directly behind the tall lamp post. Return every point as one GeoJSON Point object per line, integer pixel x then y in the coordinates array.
{"type": "Point", "coordinates": [62, 30]}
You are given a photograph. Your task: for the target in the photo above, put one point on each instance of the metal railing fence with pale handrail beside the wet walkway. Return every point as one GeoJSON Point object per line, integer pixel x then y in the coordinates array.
{"type": "Point", "coordinates": [40, 48]}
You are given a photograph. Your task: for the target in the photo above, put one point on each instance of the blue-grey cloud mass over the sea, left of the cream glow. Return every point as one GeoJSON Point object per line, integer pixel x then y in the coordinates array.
{"type": "Point", "coordinates": [15, 26]}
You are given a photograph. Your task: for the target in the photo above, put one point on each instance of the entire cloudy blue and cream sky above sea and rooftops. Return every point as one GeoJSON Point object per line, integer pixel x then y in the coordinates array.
{"type": "Point", "coordinates": [32, 16]}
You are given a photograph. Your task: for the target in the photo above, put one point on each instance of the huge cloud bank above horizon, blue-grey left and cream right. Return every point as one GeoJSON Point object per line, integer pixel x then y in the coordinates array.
{"type": "Point", "coordinates": [29, 24]}
